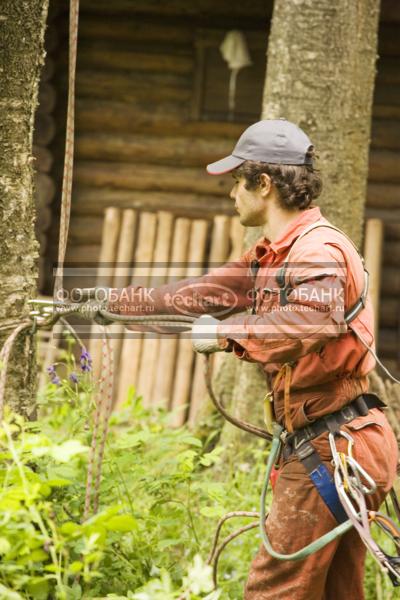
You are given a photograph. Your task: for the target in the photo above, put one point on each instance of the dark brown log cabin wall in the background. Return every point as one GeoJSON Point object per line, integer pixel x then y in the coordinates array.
{"type": "Point", "coordinates": [138, 145]}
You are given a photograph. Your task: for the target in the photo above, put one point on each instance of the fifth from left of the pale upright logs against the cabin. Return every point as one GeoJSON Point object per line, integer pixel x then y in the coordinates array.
{"type": "Point", "coordinates": [164, 376]}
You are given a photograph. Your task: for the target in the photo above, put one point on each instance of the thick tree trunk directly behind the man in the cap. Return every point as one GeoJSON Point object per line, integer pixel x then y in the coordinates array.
{"type": "Point", "coordinates": [320, 75]}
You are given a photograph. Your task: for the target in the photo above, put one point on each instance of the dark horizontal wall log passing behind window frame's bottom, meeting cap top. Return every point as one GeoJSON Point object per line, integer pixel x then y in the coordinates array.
{"type": "Point", "coordinates": [148, 117]}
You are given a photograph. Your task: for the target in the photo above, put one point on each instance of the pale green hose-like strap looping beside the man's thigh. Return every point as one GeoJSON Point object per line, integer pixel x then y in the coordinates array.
{"type": "Point", "coordinates": [316, 544]}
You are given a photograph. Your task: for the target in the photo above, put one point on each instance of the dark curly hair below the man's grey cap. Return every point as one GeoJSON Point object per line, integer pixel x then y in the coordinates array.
{"type": "Point", "coordinates": [297, 185]}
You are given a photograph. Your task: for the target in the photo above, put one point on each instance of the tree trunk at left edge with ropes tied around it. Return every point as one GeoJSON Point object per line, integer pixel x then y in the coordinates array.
{"type": "Point", "coordinates": [22, 27]}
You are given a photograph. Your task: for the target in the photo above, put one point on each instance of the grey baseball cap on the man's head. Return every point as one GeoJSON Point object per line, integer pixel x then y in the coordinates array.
{"type": "Point", "coordinates": [275, 141]}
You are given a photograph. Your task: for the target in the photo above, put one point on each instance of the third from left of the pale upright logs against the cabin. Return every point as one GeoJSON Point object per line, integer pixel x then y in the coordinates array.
{"type": "Point", "coordinates": [132, 343]}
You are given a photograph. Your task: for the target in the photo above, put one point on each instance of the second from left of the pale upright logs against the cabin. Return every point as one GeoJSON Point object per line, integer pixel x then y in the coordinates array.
{"type": "Point", "coordinates": [121, 276]}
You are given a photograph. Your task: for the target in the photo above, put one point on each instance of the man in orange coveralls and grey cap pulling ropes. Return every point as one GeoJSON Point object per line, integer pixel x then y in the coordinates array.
{"type": "Point", "coordinates": [307, 329]}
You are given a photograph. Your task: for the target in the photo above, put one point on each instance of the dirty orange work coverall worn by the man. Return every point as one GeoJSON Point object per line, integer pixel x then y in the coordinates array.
{"type": "Point", "coordinates": [328, 369]}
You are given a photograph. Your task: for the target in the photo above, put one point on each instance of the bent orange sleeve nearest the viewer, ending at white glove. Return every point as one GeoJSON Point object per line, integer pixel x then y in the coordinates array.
{"type": "Point", "coordinates": [313, 315]}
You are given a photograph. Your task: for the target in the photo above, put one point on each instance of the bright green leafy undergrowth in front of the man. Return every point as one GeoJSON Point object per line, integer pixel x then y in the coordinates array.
{"type": "Point", "coordinates": [161, 496]}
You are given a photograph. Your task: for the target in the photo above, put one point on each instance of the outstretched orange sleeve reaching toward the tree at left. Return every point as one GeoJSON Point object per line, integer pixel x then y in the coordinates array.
{"type": "Point", "coordinates": [221, 292]}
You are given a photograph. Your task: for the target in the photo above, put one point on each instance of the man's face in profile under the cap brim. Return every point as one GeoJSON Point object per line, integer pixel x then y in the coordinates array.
{"type": "Point", "coordinates": [250, 204]}
